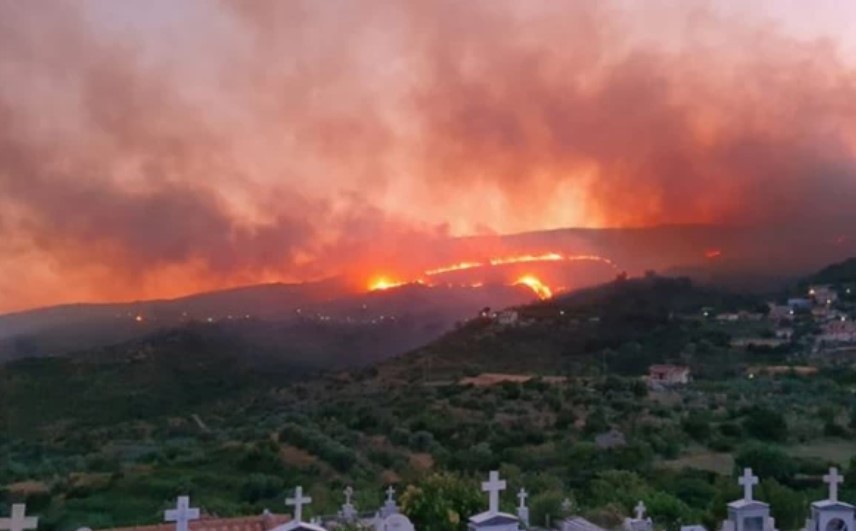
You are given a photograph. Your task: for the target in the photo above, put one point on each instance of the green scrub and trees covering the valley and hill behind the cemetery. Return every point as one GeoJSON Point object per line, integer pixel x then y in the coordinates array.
{"type": "Point", "coordinates": [111, 437]}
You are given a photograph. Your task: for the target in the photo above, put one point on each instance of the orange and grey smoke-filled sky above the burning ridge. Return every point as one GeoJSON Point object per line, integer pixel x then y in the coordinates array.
{"type": "Point", "coordinates": [264, 140]}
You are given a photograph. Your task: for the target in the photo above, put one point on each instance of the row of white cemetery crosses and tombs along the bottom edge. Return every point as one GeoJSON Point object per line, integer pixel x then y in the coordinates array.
{"type": "Point", "coordinates": [745, 514]}
